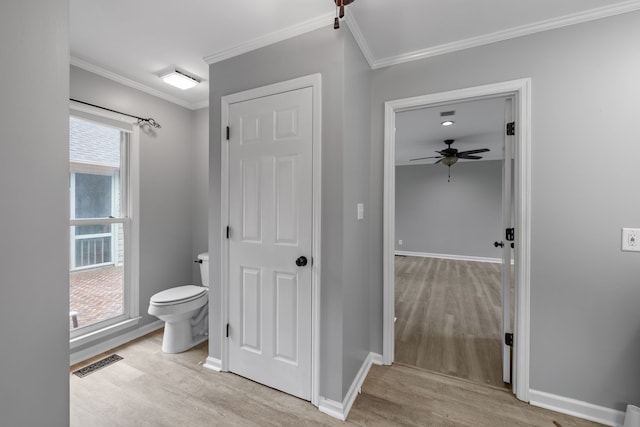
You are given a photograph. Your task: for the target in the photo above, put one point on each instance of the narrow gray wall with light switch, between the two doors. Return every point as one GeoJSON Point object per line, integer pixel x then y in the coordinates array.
{"type": "Point", "coordinates": [356, 233]}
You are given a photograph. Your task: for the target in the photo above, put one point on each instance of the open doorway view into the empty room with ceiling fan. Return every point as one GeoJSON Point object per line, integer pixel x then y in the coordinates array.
{"type": "Point", "coordinates": [448, 284]}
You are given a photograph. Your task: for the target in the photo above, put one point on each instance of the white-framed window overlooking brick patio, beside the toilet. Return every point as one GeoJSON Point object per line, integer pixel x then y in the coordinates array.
{"type": "Point", "coordinates": [103, 229]}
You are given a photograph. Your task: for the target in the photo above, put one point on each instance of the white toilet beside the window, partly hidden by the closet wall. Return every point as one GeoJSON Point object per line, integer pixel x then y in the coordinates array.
{"type": "Point", "coordinates": [184, 309]}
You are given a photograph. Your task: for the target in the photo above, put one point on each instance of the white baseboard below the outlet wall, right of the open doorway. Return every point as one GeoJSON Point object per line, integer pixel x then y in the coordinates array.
{"type": "Point", "coordinates": [576, 408]}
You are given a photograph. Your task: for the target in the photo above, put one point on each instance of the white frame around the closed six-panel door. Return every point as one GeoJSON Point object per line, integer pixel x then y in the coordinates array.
{"type": "Point", "coordinates": [313, 81]}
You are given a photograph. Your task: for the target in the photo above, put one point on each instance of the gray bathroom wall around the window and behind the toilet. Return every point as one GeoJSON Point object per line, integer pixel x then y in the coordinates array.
{"type": "Point", "coordinates": [172, 183]}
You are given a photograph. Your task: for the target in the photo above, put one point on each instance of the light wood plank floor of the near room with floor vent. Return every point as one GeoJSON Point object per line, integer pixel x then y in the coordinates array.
{"type": "Point", "coordinates": [151, 388]}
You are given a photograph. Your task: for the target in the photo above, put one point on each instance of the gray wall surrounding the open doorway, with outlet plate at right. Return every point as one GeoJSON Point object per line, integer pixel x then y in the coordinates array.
{"type": "Point", "coordinates": [585, 293]}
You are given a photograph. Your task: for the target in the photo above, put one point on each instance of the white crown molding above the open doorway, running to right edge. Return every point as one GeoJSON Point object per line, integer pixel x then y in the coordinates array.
{"type": "Point", "coordinates": [537, 27]}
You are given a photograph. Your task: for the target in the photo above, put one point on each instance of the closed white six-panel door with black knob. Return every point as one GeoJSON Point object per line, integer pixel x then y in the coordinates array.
{"type": "Point", "coordinates": [270, 228]}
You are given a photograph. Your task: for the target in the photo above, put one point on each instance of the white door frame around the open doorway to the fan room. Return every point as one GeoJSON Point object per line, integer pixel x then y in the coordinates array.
{"type": "Point", "coordinates": [521, 91]}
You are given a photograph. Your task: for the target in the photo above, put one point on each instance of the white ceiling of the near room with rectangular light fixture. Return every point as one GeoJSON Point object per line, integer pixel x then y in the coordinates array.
{"type": "Point", "coordinates": [132, 41]}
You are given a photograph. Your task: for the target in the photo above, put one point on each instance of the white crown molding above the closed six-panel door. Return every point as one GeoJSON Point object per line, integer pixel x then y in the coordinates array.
{"type": "Point", "coordinates": [271, 38]}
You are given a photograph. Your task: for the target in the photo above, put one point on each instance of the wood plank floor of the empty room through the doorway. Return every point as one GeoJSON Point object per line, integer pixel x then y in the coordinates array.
{"type": "Point", "coordinates": [449, 317]}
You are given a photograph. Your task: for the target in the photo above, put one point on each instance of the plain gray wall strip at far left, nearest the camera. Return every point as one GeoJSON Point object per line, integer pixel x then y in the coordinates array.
{"type": "Point", "coordinates": [34, 188]}
